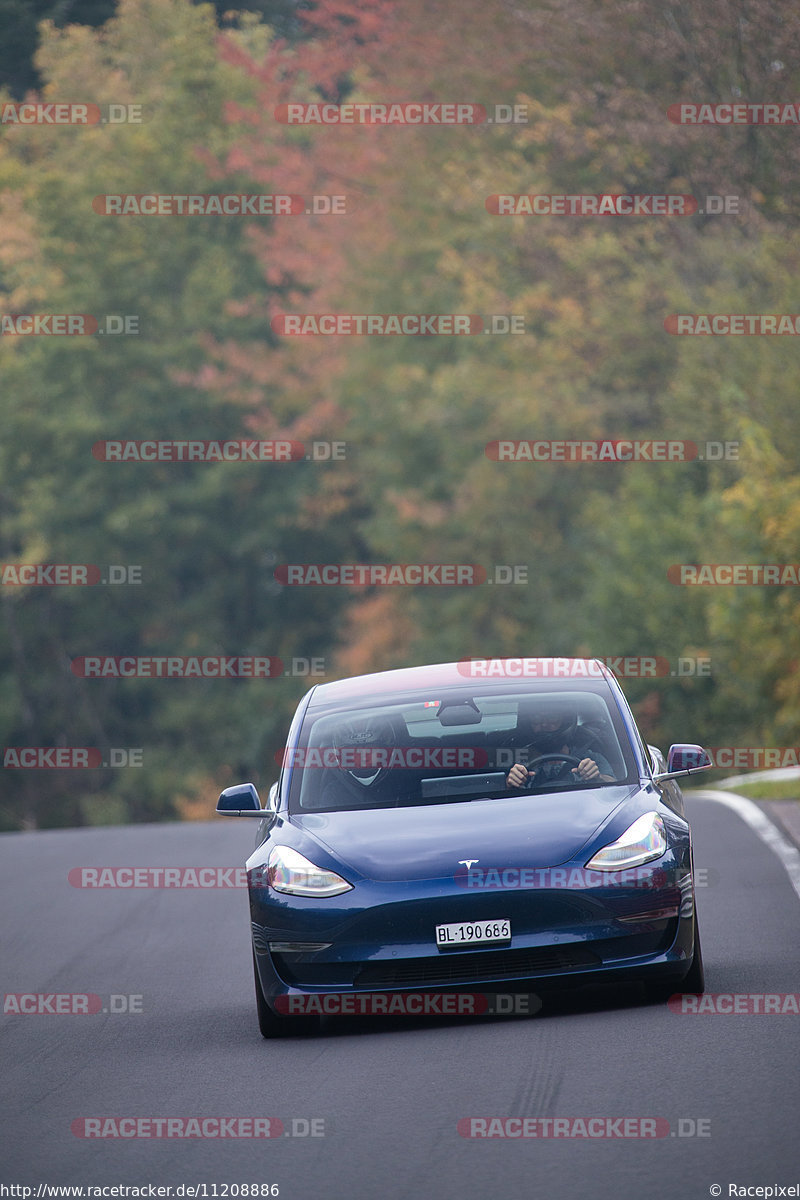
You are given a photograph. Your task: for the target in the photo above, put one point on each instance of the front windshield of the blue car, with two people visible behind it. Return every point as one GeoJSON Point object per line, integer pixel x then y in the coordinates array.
{"type": "Point", "coordinates": [456, 746]}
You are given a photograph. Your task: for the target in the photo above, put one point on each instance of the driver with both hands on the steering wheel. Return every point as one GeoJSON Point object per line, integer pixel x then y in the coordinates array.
{"type": "Point", "coordinates": [552, 730]}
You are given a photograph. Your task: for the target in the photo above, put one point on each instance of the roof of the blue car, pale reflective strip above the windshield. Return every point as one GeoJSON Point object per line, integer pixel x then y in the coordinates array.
{"type": "Point", "coordinates": [468, 674]}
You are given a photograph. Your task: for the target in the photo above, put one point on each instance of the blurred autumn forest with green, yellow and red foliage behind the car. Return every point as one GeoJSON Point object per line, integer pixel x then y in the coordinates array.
{"type": "Point", "coordinates": [411, 479]}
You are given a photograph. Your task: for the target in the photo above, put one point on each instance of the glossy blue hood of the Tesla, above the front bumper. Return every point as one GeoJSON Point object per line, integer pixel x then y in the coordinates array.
{"type": "Point", "coordinates": [429, 842]}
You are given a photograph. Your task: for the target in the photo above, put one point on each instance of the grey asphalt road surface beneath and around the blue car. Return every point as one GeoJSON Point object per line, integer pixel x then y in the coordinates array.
{"type": "Point", "coordinates": [390, 1094]}
